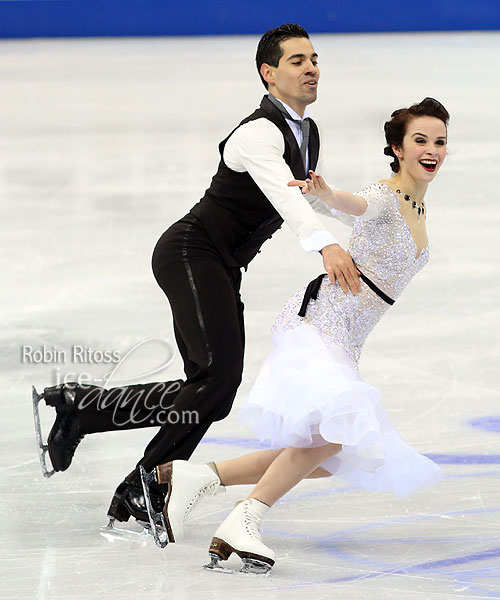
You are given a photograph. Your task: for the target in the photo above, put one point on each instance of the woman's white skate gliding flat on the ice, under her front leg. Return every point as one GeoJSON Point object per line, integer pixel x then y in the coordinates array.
{"type": "Point", "coordinates": [240, 533]}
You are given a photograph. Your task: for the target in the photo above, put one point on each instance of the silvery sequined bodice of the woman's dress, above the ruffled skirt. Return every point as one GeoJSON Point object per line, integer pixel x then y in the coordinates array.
{"type": "Point", "coordinates": [383, 249]}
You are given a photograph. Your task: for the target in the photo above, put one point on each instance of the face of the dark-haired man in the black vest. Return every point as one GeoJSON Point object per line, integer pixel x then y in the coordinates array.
{"type": "Point", "coordinates": [295, 79]}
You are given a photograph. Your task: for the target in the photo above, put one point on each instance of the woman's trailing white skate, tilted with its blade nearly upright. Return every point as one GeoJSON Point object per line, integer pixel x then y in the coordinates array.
{"type": "Point", "coordinates": [187, 483]}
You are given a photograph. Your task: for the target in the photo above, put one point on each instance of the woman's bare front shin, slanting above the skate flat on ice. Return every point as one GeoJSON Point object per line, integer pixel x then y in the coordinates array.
{"type": "Point", "coordinates": [288, 468]}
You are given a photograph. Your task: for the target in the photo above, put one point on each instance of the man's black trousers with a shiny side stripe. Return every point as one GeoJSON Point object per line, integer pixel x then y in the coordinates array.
{"type": "Point", "coordinates": [208, 326]}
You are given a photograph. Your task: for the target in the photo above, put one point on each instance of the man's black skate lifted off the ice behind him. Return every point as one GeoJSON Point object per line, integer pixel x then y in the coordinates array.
{"type": "Point", "coordinates": [66, 433]}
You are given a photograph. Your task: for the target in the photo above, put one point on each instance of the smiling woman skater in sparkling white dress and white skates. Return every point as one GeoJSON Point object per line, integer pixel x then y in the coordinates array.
{"type": "Point", "coordinates": [308, 399]}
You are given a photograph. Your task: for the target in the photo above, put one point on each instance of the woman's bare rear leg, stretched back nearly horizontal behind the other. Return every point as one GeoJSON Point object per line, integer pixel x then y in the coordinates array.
{"type": "Point", "coordinates": [250, 468]}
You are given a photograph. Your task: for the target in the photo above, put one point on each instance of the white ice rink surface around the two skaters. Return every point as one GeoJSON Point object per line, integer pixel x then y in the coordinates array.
{"type": "Point", "coordinates": [103, 144]}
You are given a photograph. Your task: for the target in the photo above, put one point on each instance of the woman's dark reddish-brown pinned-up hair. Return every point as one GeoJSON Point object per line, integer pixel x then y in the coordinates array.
{"type": "Point", "coordinates": [395, 129]}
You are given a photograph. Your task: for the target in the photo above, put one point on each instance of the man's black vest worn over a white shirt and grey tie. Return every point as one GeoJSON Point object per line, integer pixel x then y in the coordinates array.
{"type": "Point", "coordinates": [234, 211]}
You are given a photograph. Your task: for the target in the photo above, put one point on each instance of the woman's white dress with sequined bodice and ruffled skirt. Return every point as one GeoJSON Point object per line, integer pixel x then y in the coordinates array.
{"type": "Point", "coordinates": [309, 391]}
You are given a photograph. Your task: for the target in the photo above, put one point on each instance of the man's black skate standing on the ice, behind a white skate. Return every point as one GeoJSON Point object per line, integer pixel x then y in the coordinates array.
{"type": "Point", "coordinates": [129, 501]}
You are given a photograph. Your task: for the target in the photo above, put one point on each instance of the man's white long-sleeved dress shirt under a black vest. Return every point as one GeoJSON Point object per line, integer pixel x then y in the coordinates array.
{"type": "Point", "coordinates": [257, 147]}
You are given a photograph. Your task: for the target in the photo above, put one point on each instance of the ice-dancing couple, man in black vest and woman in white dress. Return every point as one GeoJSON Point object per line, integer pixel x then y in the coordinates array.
{"type": "Point", "coordinates": [309, 400]}
